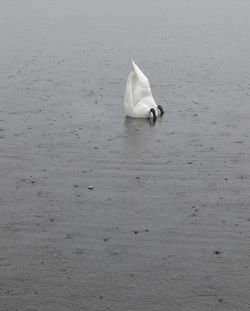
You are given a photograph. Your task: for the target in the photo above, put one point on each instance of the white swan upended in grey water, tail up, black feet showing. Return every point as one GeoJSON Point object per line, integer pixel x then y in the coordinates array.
{"type": "Point", "coordinates": [139, 101]}
